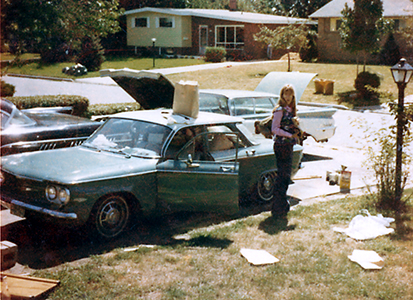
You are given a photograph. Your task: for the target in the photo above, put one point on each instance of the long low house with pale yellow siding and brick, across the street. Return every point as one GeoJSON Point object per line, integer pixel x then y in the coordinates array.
{"type": "Point", "coordinates": [190, 31]}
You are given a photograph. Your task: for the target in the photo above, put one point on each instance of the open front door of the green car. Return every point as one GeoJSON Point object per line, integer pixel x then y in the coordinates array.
{"type": "Point", "coordinates": [195, 181]}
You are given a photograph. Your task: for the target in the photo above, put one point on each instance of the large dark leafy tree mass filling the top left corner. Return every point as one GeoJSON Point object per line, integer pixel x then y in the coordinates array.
{"type": "Point", "coordinates": [57, 25]}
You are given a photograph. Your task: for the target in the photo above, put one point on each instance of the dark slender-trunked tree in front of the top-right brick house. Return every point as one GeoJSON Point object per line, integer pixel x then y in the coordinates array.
{"type": "Point", "coordinates": [362, 27]}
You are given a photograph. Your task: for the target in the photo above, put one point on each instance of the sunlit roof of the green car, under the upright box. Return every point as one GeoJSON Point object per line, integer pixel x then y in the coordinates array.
{"type": "Point", "coordinates": [166, 117]}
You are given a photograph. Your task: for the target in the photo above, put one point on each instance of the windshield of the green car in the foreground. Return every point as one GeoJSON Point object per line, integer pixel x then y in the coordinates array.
{"type": "Point", "coordinates": [130, 137]}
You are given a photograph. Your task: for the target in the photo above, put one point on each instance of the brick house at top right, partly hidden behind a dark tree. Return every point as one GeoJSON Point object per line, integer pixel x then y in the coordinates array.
{"type": "Point", "coordinates": [329, 18]}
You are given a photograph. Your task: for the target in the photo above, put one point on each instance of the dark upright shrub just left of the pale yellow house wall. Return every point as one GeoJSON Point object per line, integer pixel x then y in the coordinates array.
{"type": "Point", "coordinates": [91, 54]}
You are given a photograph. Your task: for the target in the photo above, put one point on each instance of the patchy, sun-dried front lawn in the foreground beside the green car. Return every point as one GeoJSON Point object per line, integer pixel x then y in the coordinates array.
{"type": "Point", "coordinates": [201, 260]}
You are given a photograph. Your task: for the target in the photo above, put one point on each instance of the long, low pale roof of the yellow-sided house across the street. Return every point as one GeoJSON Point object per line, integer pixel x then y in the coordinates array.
{"type": "Point", "coordinates": [236, 16]}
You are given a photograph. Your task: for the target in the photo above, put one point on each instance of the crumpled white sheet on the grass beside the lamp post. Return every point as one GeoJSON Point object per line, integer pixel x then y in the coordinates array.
{"type": "Point", "coordinates": [367, 227]}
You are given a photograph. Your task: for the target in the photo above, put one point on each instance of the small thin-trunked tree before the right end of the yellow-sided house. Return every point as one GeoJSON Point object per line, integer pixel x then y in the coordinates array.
{"type": "Point", "coordinates": [284, 37]}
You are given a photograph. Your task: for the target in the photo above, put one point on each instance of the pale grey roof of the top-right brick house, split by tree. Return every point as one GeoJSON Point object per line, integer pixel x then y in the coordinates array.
{"type": "Point", "coordinates": [391, 8]}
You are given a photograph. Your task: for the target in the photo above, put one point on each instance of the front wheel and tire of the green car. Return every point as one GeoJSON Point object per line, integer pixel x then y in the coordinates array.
{"type": "Point", "coordinates": [110, 216]}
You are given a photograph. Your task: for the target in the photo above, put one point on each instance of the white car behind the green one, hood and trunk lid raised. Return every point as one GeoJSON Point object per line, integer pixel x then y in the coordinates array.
{"type": "Point", "coordinates": [153, 90]}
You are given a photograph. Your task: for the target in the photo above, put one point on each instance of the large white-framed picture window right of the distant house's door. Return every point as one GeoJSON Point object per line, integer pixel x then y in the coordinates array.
{"type": "Point", "coordinates": [230, 37]}
